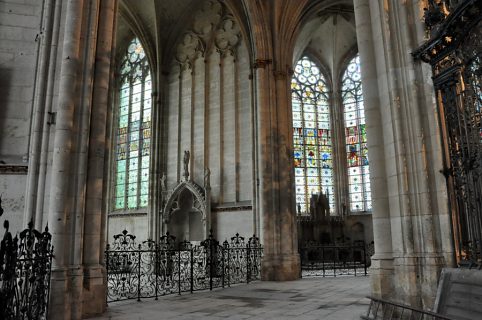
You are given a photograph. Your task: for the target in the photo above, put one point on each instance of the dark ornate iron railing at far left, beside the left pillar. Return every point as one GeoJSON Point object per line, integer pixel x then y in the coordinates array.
{"type": "Point", "coordinates": [25, 269]}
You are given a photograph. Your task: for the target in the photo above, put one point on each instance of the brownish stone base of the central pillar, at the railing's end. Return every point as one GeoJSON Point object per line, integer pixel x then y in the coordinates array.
{"type": "Point", "coordinates": [280, 267]}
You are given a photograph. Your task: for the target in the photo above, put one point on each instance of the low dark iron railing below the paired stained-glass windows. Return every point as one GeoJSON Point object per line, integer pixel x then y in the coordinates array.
{"type": "Point", "coordinates": [319, 260]}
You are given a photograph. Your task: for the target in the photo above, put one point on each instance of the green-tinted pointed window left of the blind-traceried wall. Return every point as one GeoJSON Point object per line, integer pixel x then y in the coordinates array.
{"type": "Point", "coordinates": [133, 130]}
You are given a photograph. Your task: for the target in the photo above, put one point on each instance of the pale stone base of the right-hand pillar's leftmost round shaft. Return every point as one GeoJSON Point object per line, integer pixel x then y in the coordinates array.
{"type": "Point", "coordinates": [381, 276]}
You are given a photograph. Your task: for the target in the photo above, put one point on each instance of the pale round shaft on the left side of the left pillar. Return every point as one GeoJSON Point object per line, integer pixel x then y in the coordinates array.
{"type": "Point", "coordinates": [61, 200]}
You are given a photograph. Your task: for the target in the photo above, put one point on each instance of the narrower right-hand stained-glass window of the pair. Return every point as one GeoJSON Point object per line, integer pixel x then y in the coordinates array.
{"type": "Point", "coordinates": [356, 139]}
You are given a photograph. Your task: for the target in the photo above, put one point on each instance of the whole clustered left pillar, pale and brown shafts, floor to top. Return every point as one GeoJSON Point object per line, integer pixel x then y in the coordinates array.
{"type": "Point", "coordinates": [76, 205]}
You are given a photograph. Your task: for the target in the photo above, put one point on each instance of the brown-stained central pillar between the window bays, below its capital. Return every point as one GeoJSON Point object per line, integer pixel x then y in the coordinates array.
{"type": "Point", "coordinates": [277, 205]}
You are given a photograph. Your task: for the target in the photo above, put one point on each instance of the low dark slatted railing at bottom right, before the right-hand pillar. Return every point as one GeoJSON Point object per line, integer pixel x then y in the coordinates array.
{"type": "Point", "coordinates": [380, 309]}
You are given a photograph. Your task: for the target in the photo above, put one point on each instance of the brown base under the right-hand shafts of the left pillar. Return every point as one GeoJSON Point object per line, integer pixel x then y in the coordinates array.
{"type": "Point", "coordinates": [95, 290]}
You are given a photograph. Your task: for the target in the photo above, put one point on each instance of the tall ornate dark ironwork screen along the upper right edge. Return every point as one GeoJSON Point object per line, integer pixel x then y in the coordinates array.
{"type": "Point", "coordinates": [454, 51]}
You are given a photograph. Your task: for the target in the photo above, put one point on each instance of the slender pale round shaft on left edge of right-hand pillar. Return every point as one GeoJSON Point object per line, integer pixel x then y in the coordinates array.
{"type": "Point", "coordinates": [382, 261]}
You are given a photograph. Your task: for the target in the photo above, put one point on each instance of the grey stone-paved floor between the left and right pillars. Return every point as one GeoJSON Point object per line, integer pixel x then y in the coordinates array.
{"type": "Point", "coordinates": [341, 298]}
